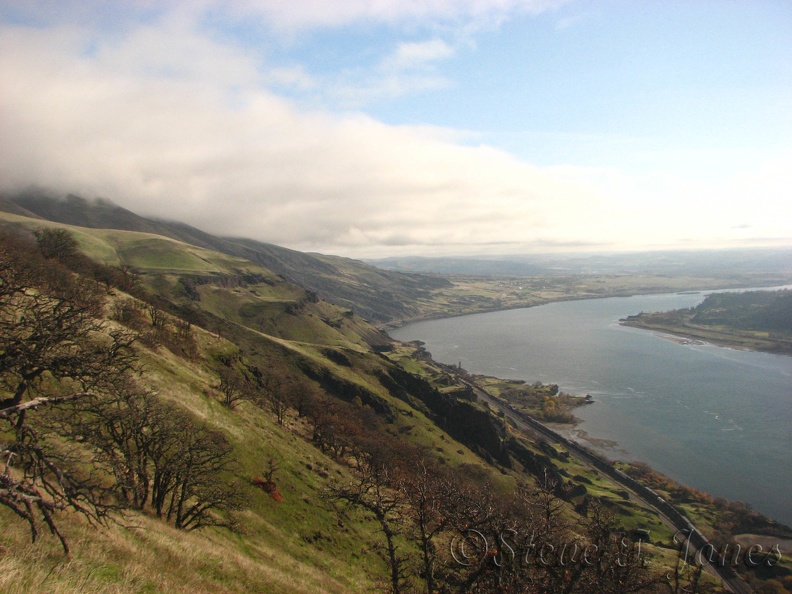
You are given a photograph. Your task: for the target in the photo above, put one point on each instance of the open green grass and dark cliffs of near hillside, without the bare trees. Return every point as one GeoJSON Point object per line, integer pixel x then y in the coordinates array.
{"type": "Point", "coordinates": [237, 308]}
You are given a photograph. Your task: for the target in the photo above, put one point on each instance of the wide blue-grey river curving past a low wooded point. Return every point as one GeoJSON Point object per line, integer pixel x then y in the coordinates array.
{"type": "Point", "coordinates": [713, 418]}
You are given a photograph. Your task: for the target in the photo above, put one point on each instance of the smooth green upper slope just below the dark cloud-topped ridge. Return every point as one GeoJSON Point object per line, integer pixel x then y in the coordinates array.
{"type": "Point", "coordinates": [229, 287]}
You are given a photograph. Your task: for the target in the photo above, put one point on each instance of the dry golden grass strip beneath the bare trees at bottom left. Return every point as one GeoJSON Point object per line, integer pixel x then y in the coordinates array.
{"type": "Point", "coordinates": [151, 556]}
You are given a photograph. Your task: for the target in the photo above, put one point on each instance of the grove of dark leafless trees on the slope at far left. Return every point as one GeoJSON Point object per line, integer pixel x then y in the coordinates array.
{"type": "Point", "coordinates": [72, 411]}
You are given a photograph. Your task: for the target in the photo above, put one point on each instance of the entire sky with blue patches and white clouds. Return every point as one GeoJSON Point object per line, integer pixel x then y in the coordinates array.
{"type": "Point", "coordinates": [373, 128]}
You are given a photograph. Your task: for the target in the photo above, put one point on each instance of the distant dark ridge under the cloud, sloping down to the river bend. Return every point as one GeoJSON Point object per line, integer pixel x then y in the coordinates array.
{"type": "Point", "coordinates": [374, 294]}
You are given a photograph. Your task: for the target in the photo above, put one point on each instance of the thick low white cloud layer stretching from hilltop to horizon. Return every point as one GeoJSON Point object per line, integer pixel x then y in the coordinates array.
{"type": "Point", "coordinates": [171, 122]}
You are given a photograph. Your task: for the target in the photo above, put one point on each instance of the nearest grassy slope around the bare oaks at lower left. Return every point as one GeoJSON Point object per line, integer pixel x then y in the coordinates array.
{"type": "Point", "coordinates": [274, 549]}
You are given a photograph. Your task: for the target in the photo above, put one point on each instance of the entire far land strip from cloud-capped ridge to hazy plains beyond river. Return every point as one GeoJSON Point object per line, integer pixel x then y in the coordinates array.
{"type": "Point", "coordinates": [391, 297]}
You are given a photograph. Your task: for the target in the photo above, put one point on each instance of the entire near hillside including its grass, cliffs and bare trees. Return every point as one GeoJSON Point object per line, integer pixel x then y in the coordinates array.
{"type": "Point", "coordinates": [334, 447]}
